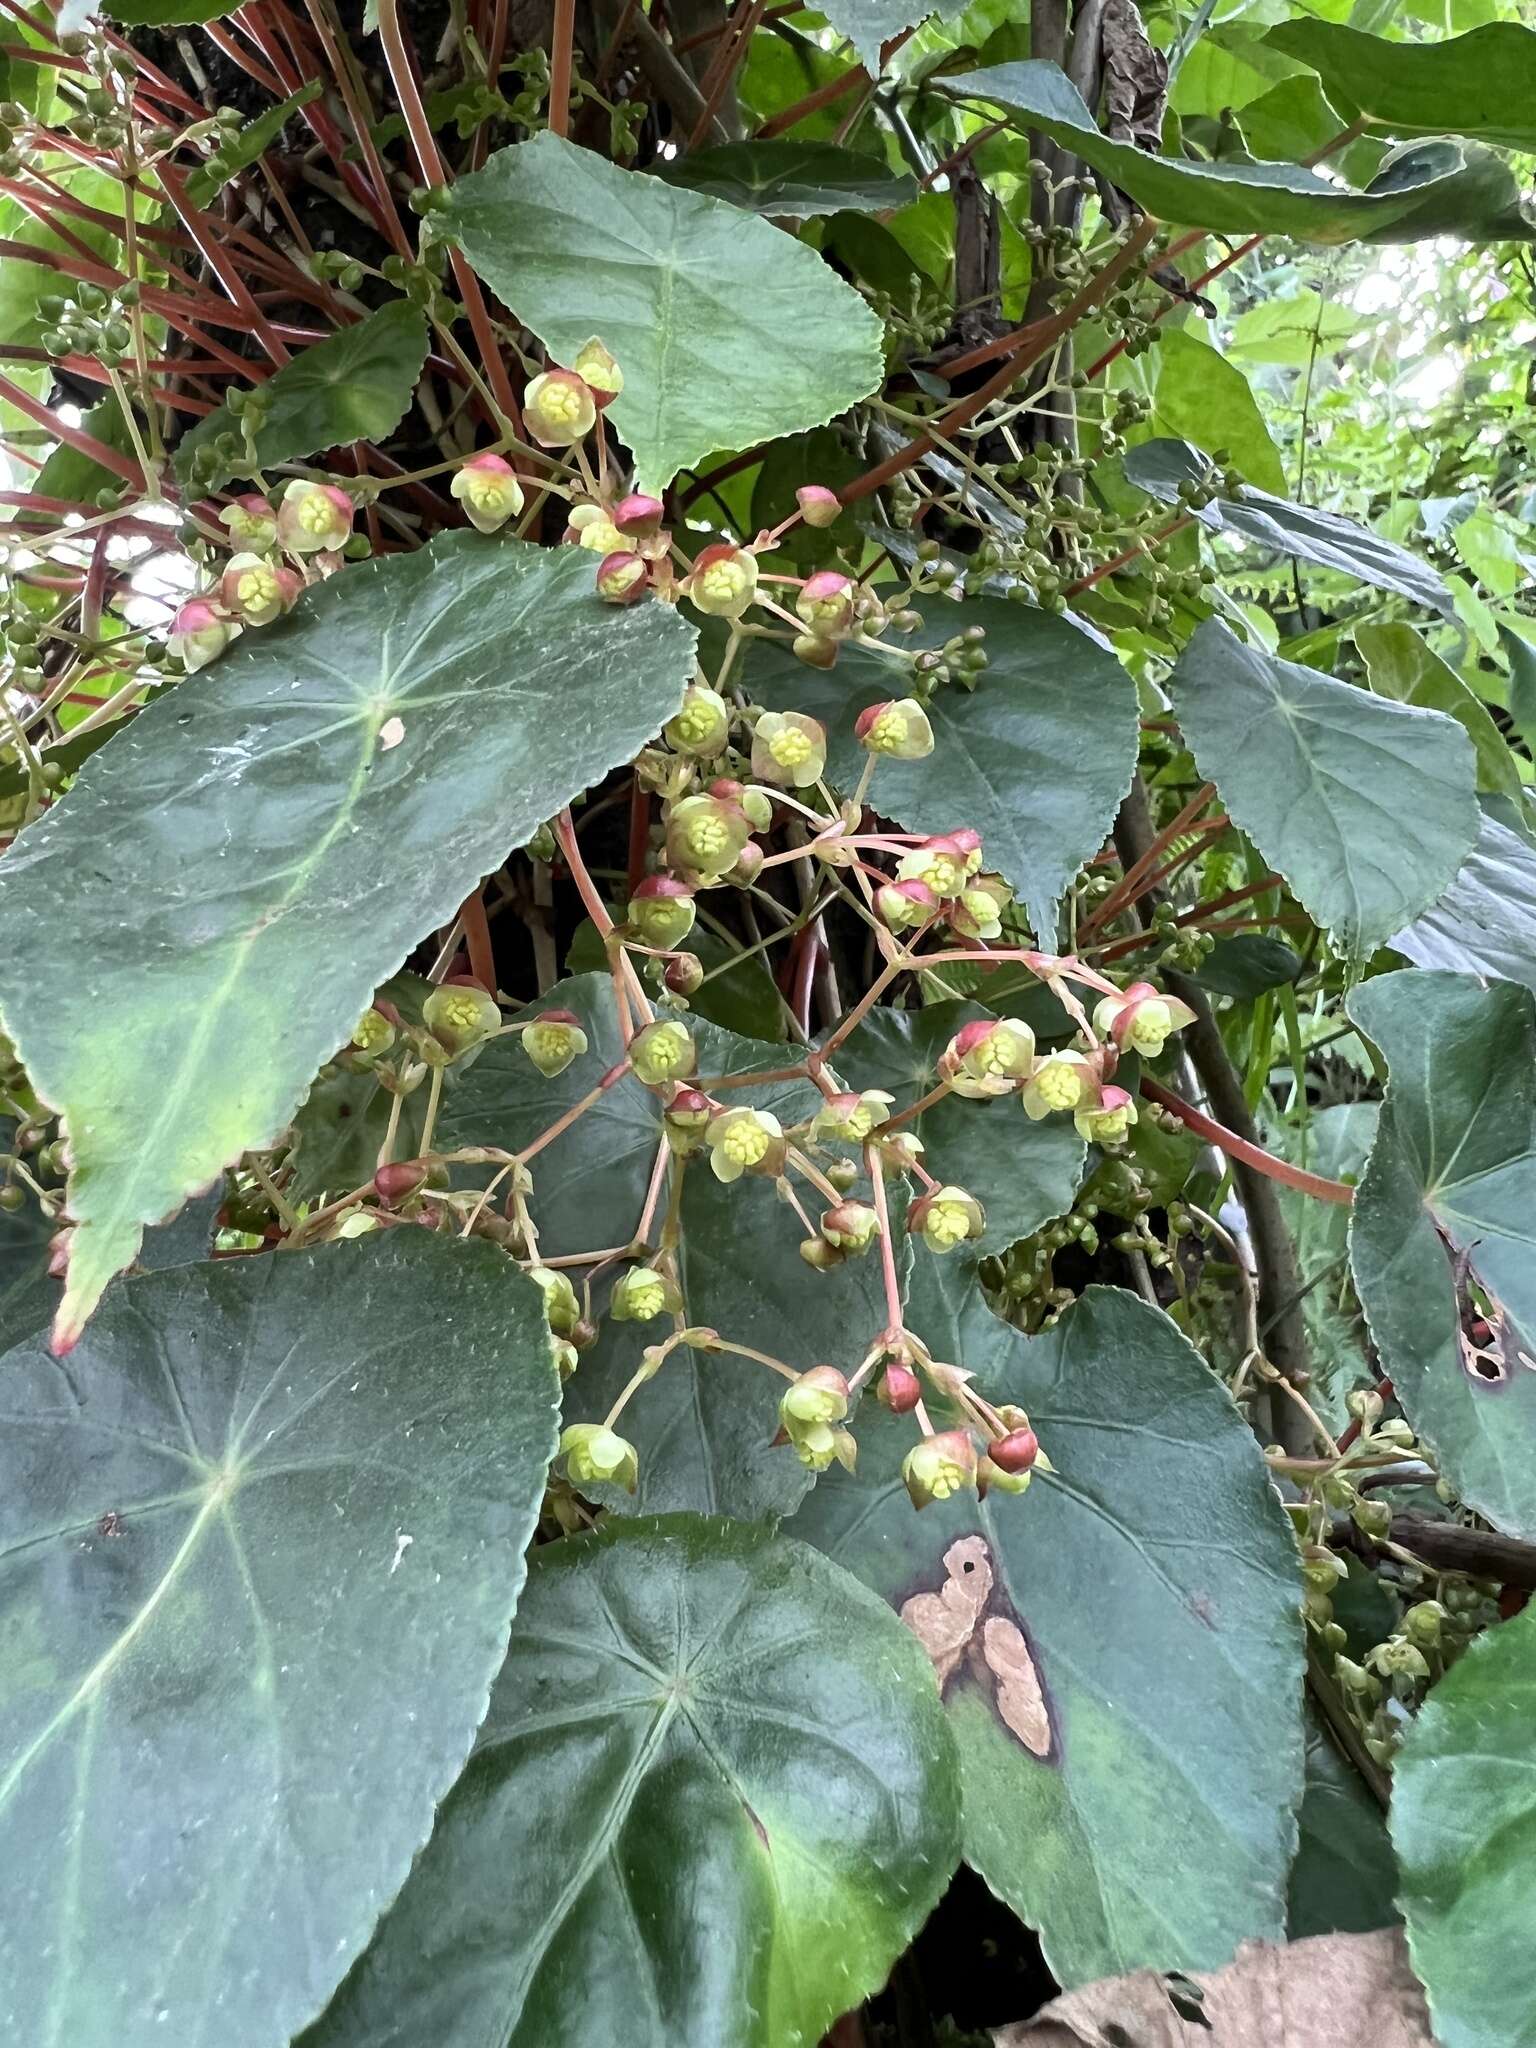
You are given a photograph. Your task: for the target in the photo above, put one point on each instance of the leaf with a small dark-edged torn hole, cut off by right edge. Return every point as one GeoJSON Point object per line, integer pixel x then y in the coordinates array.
{"type": "Point", "coordinates": [1455, 1172]}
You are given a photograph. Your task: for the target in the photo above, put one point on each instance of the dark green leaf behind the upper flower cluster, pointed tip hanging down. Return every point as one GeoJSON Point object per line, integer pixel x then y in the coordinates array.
{"type": "Point", "coordinates": [1037, 759]}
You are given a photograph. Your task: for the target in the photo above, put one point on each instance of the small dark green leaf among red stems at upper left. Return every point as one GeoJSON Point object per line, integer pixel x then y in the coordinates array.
{"type": "Point", "coordinates": [353, 386]}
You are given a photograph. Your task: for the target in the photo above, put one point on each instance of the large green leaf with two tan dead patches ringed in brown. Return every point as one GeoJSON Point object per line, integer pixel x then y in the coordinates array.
{"type": "Point", "coordinates": [1123, 1644]}
